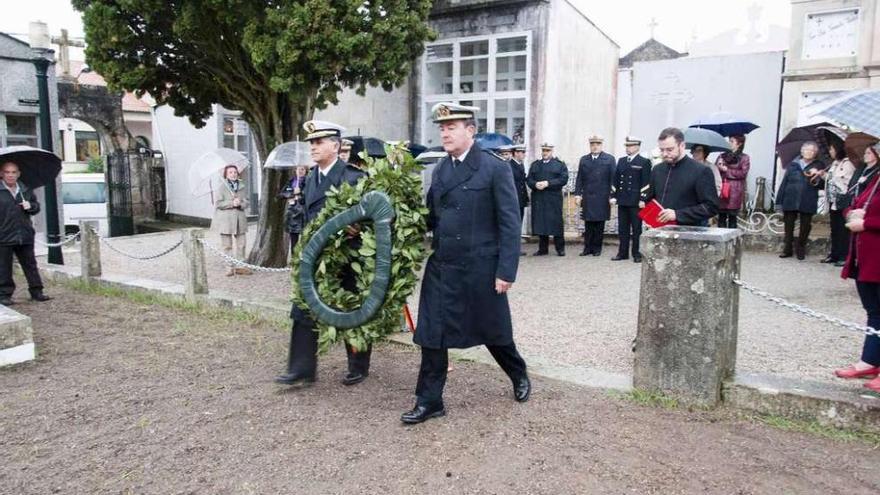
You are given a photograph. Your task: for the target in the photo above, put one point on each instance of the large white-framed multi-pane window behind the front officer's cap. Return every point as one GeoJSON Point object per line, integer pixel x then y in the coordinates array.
{"type": "Point", "coordinates": [489, 72]}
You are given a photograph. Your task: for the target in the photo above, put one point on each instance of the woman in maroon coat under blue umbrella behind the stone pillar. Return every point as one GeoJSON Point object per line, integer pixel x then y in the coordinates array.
{"type": "Point", "coordinates": [734, 168]}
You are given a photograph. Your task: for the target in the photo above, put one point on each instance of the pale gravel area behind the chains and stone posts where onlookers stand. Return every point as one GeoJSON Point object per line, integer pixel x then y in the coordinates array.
{"type": "Point", "coordinates": [583, 311]}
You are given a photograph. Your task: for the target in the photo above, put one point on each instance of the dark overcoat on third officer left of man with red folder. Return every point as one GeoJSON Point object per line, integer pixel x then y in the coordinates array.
{"type": "Point", "coordinates": [547, 203]}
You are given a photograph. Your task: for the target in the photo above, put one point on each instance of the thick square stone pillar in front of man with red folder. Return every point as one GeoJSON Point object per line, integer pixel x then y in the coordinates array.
{"type": "Point", "coordinates": [688, 312]}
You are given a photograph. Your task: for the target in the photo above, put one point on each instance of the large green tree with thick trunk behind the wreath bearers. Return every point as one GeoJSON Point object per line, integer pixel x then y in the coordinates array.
{"type": "Point", "coordinates": [276, 61]}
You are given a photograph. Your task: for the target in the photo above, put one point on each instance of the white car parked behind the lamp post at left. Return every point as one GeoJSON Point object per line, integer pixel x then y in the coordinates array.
{"type": "Point", "coordinates": [85, 198]}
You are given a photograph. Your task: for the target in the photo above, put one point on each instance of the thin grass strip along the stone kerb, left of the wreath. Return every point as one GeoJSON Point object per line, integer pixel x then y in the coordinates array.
{"type": "Point", "coordinates": [215, 313]}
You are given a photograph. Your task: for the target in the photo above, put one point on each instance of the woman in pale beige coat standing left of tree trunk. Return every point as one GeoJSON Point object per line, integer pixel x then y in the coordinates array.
{"type": "Point", "coordinates": [230, 219]}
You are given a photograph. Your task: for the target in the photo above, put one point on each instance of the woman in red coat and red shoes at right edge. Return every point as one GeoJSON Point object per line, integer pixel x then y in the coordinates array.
{"type": "Point", "coordinates": [863, 264]}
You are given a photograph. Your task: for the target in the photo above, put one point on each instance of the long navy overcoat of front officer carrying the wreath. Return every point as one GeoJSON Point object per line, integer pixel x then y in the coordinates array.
{"type": "Point", "coordinates": [474, 215]}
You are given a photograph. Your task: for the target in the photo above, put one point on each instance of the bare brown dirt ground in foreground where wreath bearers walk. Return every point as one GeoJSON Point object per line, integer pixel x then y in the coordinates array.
{"type": "Point", "coordinates": [133, 398]}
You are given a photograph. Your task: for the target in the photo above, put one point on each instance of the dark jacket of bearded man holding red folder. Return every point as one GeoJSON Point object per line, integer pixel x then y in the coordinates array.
{"type": "Point", "coordinates": [688, 187]}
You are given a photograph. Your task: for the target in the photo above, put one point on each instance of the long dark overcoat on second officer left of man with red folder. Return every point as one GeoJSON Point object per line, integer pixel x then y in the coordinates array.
{"type": "Point", "coordinates": [594, 182]}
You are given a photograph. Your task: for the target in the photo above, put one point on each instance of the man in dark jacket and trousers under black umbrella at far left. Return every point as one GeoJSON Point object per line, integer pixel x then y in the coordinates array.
{"type": "Point", "coordinates": [17, 205]}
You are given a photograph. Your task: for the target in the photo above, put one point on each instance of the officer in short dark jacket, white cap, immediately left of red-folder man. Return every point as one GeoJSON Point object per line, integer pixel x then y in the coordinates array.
{"type": "Point", "coordinates": [630, 183]}
